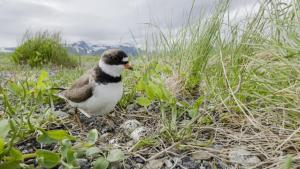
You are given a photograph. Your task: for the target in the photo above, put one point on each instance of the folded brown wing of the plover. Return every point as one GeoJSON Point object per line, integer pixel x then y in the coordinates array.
{"type": "Point", "coordinates": [81, 90]}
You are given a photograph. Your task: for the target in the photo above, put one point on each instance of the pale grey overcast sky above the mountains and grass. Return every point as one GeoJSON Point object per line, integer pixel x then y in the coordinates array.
{"type": "Point", "coordinates": [98, 21]}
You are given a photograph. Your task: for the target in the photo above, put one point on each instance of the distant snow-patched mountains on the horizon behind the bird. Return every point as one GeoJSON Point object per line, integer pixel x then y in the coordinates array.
{"type": "Point", "coordinates": [85, 48]}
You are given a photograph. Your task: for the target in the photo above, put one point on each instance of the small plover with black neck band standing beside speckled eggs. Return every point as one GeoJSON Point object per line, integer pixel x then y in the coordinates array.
{"type": "Point", "coordinates": [98, 91]}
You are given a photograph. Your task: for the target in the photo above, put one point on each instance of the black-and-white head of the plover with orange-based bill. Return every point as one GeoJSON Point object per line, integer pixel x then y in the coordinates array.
{"type": "Point", "coordinates": [114, 61]}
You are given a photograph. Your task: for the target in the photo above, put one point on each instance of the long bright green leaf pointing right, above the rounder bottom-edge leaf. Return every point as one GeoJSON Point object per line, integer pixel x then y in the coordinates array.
{"type": "Point", "coordinates": [52, 136]}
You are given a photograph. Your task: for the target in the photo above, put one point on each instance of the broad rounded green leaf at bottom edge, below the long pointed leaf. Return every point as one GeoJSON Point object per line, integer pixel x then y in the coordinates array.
{"type": "Point", "coordinates": [47, 158]}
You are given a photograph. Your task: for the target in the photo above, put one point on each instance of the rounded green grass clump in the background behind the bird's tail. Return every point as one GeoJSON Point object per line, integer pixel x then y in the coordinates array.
{"type": "Point", "coordinates": [42, 48]}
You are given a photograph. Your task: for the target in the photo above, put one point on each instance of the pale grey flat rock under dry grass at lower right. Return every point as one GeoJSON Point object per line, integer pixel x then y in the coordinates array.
{"type": "Point", "coordinates": [242, 156]}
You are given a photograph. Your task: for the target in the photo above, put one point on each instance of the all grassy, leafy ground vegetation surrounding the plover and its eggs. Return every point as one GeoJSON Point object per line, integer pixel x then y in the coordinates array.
{"type": "Point", "coordinates": [217, 93]}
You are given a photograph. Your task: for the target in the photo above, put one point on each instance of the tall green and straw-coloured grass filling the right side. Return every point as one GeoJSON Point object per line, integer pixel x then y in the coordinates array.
{"type": "Point", "coordinates": [251, 70]}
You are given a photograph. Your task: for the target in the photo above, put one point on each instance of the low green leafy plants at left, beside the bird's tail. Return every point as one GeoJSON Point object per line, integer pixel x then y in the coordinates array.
{"type": "Point", "coordinates": [23, 117]}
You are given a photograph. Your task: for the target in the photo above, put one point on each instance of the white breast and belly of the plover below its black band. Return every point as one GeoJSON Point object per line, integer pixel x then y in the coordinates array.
{"type": "Point", "coordinates": [104, 99]}
